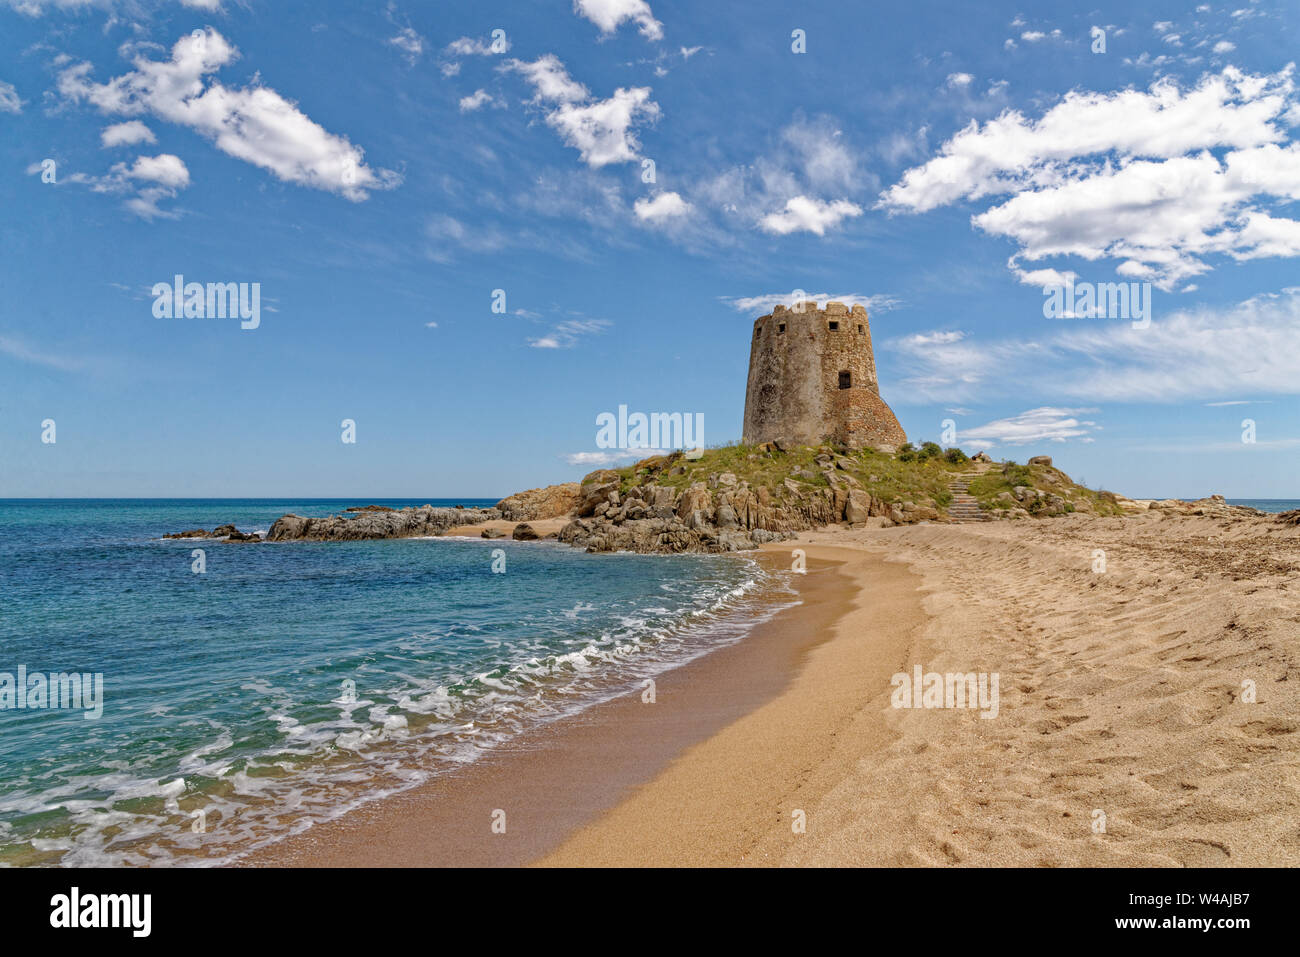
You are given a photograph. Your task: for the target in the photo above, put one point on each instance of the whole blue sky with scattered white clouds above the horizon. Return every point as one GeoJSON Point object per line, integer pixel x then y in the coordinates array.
{"type": "Point", "coordinates": [380, 172]}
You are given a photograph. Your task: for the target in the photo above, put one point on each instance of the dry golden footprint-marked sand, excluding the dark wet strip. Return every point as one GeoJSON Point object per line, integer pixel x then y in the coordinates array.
{"type": "Point", "coordinates": [1121, 695]}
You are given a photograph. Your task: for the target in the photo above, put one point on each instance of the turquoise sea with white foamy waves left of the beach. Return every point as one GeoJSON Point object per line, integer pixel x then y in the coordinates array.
{"type": "Point", "coordinates": [291, 682]}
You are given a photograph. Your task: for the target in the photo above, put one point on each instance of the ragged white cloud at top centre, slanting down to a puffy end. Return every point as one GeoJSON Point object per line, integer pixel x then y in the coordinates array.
{"type": "Point", "coordinates": [601, 131]}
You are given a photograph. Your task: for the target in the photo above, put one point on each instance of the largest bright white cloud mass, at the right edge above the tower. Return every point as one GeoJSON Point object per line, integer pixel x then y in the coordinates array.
{"type": "Point", "coordinates": [1130, 176]}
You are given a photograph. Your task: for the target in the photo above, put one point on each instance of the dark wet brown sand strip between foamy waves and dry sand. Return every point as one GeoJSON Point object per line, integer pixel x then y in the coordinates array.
{"type": "Point", "coordinates": [554, 780]}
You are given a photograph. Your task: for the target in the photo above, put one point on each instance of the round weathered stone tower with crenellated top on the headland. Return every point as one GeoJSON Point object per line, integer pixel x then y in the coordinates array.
{"type": "Point", "coordinates": [813, 379]}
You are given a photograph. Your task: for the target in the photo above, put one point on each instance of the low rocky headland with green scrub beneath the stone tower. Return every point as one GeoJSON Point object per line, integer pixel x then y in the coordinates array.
{"type": "Point", "coordinates": [740, 497]}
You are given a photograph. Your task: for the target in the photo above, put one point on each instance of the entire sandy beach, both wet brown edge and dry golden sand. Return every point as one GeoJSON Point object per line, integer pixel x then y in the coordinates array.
{"type": "Point", "coordinates": [1147, 716]}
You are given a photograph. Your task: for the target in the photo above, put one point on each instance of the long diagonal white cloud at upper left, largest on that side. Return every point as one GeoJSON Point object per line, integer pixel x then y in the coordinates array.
{"type": "Point", "coordinates": [253, 124]}
